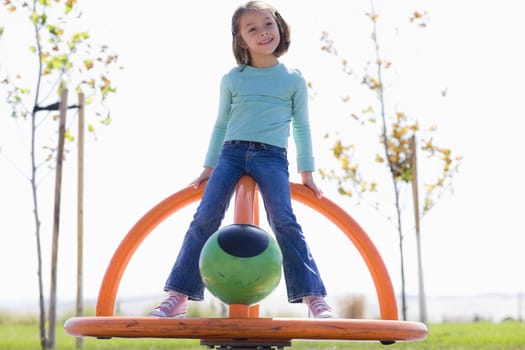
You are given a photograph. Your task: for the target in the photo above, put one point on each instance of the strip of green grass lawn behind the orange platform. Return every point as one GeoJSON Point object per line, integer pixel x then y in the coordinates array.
{"type": "Point", "coordinates": [453, 336]}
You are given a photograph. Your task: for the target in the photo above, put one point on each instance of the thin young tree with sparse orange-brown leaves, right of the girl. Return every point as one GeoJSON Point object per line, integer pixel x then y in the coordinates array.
{"type": "Point", "coordinates": [395, 130]}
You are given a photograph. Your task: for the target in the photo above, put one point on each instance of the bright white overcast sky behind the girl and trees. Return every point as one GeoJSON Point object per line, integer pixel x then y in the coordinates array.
{"type": "Point", "coordinates": [174, 56]}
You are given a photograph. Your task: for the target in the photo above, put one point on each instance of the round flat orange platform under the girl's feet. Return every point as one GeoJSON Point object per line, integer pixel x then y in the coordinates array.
{"type": "Point", "coordinates": [219, 329]}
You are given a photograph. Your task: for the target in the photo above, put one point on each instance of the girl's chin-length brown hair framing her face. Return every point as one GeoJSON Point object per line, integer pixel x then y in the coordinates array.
{"type": "Point", "coordinates": [241, 53]}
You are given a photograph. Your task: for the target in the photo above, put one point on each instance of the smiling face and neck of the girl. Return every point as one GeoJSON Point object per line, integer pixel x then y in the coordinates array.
{"type": "Point", "coordinates": [260, 34]}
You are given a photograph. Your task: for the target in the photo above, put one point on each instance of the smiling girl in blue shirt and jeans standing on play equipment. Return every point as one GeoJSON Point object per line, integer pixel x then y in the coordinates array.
{"type": "Point", "coordinates": [259, 99]}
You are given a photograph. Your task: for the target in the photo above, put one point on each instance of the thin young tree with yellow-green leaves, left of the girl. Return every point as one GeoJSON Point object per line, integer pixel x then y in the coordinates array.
{"type": "Point", "coordinates": [64, 59]}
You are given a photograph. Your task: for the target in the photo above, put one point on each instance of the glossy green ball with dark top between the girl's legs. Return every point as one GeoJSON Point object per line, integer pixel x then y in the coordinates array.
{"type": "Point", "coordinates": [240, 264]}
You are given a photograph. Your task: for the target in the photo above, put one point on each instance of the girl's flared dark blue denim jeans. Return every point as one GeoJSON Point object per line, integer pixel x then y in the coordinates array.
{"type": "Point", "coordinates": [268, 165]}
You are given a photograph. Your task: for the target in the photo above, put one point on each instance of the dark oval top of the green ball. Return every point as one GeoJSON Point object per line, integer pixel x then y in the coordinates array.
{"type": "Point", "coordinates": [243, 240]}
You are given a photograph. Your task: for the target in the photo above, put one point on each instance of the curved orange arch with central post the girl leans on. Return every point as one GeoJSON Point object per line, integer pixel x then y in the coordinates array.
{"type": "Point", "coordinates": [246, 211]}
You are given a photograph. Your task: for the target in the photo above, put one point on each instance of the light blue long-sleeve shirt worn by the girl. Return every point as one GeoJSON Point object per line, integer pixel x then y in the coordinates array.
{"type": "Point", "coordinates": [260, 104]}
